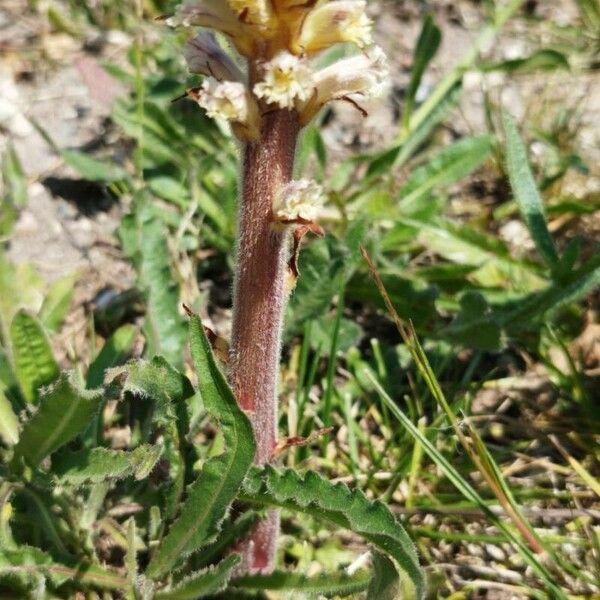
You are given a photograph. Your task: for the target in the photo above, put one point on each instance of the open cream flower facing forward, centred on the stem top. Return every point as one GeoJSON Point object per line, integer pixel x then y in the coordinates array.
{"type": "Point", "coordinates": [286, 80]}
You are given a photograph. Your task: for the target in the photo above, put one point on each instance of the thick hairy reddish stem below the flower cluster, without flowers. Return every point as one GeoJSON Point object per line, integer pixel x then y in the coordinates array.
{"type": "Point", "coordinates": [259, 303]}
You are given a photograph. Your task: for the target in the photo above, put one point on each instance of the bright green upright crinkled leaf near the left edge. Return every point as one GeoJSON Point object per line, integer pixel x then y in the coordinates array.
{"type": "Point", "coordinates": [34, 362]}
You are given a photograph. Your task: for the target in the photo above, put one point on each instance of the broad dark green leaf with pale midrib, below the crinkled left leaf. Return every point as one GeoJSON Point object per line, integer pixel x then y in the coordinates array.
{"type": "Point", "coordinates": [64, 411]}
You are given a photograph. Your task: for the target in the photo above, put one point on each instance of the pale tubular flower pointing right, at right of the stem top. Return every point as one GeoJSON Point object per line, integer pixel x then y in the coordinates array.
{"type": "Point", "coordinates": [365, 75]}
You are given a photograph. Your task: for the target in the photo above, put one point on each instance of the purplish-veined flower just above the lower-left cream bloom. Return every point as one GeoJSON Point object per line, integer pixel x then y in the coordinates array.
{"type": "Point", "coordinates": [204, 56]}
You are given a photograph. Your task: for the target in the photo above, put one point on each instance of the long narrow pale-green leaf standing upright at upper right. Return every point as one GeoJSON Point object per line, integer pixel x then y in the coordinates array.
{"type": "Point", "coordinates": [526, 193]}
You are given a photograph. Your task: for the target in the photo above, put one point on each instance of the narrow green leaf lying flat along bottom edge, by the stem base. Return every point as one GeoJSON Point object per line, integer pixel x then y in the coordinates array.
{"type": "Point", "coordinates": [327, 585]}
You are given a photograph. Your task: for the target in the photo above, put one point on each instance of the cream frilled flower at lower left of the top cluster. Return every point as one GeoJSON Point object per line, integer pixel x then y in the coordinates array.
{"type": "Point", "coordinates": [230, 101]}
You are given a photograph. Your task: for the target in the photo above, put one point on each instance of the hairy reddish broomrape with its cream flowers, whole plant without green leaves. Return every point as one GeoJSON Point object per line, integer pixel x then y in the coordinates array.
{"type": "Point", "coordinates": [267, 103]}
